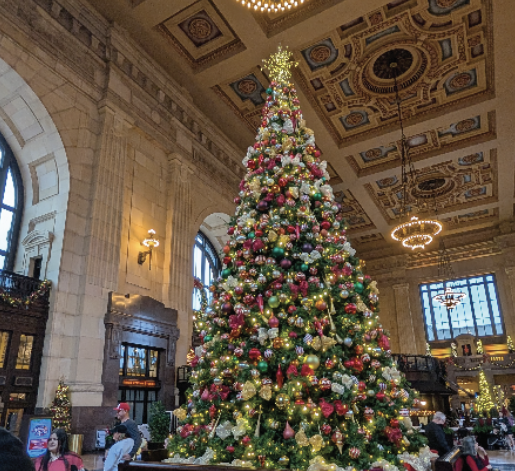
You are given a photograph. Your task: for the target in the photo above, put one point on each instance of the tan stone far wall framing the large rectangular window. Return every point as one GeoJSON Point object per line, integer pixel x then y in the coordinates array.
{"type": "Point", "coordinates": [399, 276]}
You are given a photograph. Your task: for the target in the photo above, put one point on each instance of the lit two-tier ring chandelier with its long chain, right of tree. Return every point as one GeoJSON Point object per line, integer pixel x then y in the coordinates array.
{"type": "Point", "coordinates": [415, 233]}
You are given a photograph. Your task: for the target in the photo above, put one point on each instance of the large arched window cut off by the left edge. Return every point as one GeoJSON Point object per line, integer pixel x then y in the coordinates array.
{"type": "Point", "coordinates": [11, 205]}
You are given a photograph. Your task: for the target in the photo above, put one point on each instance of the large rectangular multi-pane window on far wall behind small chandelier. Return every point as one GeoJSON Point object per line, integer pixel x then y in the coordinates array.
{"type": "Point", "coordinates": [478, 315]}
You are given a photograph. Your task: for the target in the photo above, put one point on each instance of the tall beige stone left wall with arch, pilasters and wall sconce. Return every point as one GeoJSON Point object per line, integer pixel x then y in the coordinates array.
{"type": "Point", "coordinates": [109, 146]}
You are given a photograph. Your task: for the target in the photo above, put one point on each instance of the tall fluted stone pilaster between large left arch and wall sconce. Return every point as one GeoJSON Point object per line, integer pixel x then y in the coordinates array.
{"type": "Point", "coordinates": [101, 259]}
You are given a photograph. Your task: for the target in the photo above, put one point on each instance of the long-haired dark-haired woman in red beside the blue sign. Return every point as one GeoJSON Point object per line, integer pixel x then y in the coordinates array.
{"type": "Point", "coordinates": [58, 456]}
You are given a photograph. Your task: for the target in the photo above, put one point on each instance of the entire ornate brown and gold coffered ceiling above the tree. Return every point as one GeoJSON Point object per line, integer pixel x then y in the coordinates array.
{"type": "Point", "coordinates": [456, 84]}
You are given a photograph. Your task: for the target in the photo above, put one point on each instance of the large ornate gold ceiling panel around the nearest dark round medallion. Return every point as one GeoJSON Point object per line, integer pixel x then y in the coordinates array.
{"type": "Point", "coordinates": [445, 57]}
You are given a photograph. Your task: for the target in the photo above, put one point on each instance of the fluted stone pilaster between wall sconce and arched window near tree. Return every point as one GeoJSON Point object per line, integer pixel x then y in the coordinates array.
{"type": "Point", "coordinates": [178, 259]}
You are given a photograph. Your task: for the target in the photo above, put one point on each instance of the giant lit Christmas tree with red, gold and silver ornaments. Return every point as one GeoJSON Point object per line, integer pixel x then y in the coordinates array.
{"type": "Point", "coordinates": [295, 369]}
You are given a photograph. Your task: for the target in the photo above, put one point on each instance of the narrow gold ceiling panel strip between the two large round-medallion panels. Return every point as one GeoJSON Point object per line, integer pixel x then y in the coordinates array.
{"type": "Point", "coordinates": [455, 136]}
